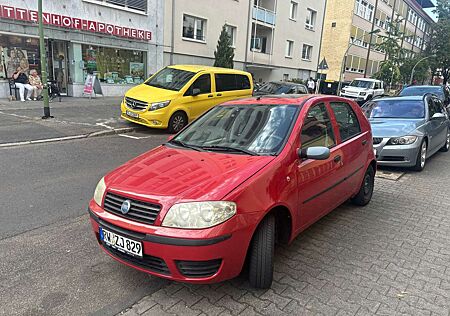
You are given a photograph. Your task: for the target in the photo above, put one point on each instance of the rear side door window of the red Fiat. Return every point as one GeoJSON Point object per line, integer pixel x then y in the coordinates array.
{"type": "Point", "coordinates": [347, 120]}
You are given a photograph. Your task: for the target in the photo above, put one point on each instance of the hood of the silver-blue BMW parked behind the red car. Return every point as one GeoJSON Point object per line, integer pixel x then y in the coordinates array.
{"type": "Point", "coordinates": [394, 127]}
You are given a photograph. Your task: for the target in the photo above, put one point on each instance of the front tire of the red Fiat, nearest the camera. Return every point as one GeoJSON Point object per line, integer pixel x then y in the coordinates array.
{"type": "Point", "coordinates": [261, 254]}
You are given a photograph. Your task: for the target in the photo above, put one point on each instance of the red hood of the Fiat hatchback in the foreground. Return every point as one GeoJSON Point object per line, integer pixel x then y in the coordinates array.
{"type": "Point", "coordinates": [168, 175]}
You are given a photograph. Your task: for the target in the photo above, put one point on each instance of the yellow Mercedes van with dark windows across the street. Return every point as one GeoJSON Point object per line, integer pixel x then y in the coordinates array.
{"type": "Point", "coordinates": [179, 94]}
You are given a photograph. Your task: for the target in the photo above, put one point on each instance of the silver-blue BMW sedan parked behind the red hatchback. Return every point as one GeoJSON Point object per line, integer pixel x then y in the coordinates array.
{"type": "Point", "coordinates": [408, 130]}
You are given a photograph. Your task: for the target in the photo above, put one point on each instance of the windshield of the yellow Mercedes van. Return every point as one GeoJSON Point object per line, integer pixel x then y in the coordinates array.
{"type": "Point", "coordinates": [170, 79]}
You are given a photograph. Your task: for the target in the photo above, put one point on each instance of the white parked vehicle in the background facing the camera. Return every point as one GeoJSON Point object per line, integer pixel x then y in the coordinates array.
{"type": "Point", "coordinates": [363, 89]}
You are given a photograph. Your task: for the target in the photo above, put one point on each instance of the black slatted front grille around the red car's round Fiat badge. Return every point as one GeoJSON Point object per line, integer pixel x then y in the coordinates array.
{"type": "Point", "coordinates": [140, 211]}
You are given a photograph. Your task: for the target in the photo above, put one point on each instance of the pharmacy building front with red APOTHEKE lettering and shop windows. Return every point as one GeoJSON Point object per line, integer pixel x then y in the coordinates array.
{"type": "Point", "coordinates": [119, 41]}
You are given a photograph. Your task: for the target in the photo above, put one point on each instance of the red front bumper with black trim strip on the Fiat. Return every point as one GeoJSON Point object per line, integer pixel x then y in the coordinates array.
{"type": "Point", "coordinates": [200, 258]}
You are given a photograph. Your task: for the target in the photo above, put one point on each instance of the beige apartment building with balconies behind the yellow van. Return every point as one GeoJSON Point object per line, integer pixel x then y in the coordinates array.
{"type": "Point", "coordinates": [273, 39]}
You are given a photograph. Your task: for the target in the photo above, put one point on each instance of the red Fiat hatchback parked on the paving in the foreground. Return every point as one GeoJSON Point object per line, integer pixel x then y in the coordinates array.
{"type": "Point", "coordinates": [242, 177]}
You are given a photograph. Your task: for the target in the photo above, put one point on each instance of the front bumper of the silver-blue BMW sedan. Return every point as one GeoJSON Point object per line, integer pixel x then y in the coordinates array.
{"type": "Point", "coordinates": [397, 155]}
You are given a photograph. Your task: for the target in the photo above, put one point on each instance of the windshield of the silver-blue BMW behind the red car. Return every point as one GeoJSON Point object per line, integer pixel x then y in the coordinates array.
{"type": "Point", "coordinates": [403, 109]}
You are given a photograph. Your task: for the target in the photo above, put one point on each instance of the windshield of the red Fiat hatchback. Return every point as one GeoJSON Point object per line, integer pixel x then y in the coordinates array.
{"type": "Point", "coordinates": [242, 129]}
